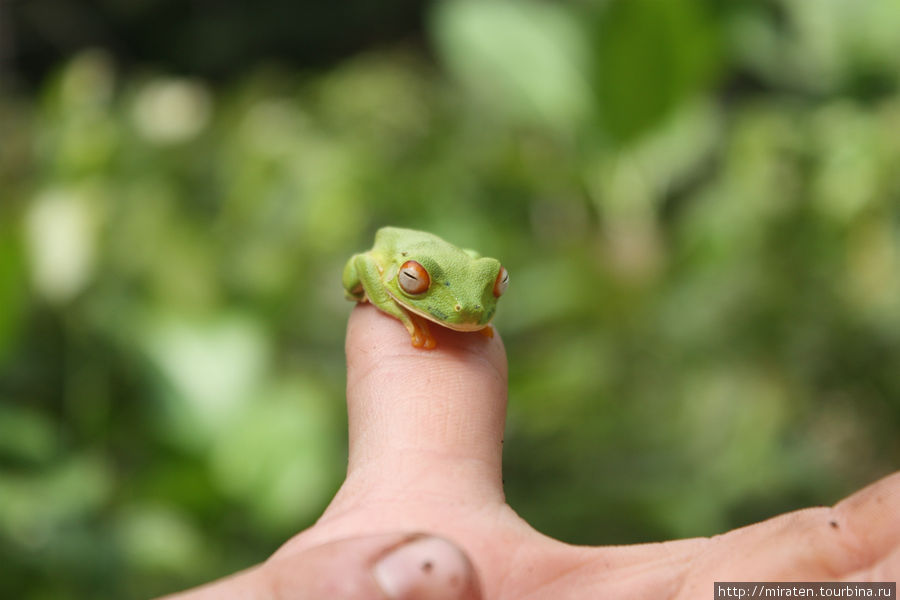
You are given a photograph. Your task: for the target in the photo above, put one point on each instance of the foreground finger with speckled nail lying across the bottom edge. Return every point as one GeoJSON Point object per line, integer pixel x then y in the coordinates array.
{"type": "Point", "coordinates": [380, 567]}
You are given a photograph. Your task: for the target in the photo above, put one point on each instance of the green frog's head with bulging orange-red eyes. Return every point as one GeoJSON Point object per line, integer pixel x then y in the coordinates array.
{"type": "Point", "coordinates": [460, 293]}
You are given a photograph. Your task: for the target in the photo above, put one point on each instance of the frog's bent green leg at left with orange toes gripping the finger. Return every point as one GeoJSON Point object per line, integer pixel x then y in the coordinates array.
{"type": "Point", "coordinates": [362, 281]}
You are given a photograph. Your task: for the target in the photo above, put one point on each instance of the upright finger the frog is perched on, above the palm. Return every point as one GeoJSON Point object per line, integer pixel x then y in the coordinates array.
{"type": "Point", "coordinates": [411, 410]}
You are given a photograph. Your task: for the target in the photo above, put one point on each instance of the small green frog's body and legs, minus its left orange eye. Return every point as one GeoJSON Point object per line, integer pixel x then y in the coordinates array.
{"type": "Point", "coordinates": [461, 291]}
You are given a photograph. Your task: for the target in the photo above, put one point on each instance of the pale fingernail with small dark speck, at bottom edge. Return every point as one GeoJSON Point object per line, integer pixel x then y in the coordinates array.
{"type": "Point", "coordinates": [428, 568]}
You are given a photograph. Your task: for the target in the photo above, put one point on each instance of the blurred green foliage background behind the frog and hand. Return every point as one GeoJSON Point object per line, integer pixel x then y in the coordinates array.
{"type": "Point", "coordinates": [698, 203]}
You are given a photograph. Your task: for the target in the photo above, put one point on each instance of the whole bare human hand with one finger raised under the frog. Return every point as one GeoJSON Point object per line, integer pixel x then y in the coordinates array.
{"type": "Point", "coordinates": [426, 431]}
